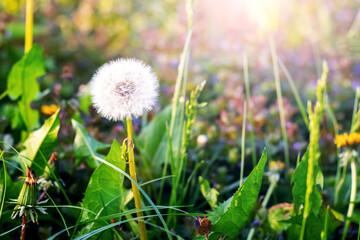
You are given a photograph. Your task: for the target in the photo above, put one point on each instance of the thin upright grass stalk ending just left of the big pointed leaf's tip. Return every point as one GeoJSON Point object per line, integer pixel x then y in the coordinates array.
{"type": "Point", "coordinates": [250, 114]}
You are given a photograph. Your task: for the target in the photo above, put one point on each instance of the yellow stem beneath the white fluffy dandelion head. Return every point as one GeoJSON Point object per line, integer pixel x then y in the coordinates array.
{"type": "Point", "coordinates": [132, 169]}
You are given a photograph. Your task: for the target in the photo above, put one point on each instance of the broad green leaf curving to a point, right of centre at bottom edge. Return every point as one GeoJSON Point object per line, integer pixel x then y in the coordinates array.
{"type": "Point", "coordinates": [231, 222]}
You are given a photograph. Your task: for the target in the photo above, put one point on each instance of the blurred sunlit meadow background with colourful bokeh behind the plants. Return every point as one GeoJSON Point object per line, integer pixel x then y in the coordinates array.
{"type": "Point", "coordinates": [79, 36]}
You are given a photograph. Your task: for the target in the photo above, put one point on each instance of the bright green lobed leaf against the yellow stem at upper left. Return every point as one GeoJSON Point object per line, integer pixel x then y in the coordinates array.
{"type": "Point", "coordinates": [22, 83]}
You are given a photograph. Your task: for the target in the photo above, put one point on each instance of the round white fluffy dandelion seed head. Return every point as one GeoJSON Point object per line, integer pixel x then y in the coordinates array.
{"type": "Point", "coordinates": [124, 88]}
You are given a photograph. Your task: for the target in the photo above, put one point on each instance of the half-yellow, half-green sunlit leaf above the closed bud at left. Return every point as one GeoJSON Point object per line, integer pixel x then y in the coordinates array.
{"type": "Point", "coordinates": [41, 143]}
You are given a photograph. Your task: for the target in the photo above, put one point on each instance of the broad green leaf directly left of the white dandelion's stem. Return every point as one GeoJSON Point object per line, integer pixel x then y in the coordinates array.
{"type": "Point", "coordinates": [104, 187]}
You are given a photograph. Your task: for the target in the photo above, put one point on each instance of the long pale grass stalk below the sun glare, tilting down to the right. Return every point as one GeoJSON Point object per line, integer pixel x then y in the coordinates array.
{"type": "Point", "coordinates": [280, 101]}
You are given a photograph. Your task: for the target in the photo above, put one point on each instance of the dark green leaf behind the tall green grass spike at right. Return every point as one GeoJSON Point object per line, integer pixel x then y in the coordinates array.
{"type": "Point", "coordinates": [299, 185]}
